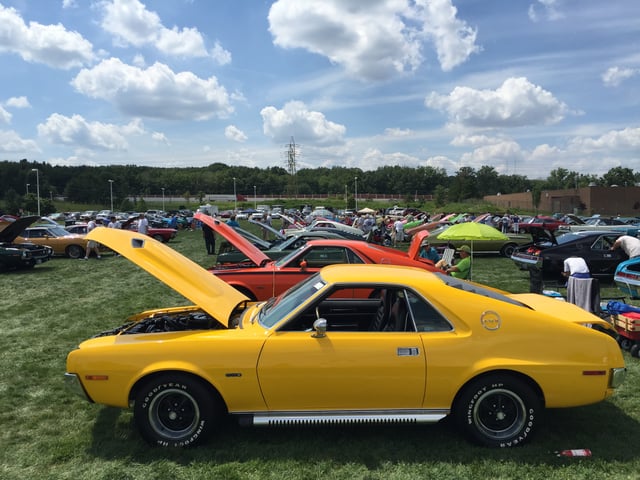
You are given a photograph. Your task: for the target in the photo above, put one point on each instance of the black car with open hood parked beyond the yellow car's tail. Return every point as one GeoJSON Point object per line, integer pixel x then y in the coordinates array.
{"type": "Point", "coordinates": [548, 252]}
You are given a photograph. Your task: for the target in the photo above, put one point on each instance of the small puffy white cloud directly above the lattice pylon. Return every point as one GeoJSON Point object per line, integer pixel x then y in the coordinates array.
{"type": "Point", "coordinates": [307, 126]}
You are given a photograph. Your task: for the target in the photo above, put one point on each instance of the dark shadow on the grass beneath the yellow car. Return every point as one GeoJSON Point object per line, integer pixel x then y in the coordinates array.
{"type": "Point", "coordinates": [603, 428]}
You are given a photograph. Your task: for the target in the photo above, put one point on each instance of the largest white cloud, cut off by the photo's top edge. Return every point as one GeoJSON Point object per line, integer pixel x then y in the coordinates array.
{"type": "Point", "coordinates": [373, 40]}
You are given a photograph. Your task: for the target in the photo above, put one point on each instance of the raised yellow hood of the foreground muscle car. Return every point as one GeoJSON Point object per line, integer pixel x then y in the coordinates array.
{"type": "Point", "coordinates": [186, 277]}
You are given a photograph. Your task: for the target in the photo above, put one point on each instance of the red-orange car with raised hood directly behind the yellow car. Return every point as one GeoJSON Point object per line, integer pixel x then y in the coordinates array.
{"type": "Point", "coordinates": [270, 278]}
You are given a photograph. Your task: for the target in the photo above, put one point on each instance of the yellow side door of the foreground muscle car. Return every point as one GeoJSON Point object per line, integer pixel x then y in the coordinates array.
{"type": "Point", "coordinates": [346, 368]}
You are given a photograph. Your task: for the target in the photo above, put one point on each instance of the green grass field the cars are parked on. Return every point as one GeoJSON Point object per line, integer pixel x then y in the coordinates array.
{"type": "Point", "coordinates": [47, 433]}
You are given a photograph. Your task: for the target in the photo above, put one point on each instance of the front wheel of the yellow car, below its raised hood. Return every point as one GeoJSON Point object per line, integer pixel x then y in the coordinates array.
{"type": "Point", "coordinates": [176, 411]}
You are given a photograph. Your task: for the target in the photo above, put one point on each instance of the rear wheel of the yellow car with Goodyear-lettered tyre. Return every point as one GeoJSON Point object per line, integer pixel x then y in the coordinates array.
{"type": "Point", "coordinates": [497, 411]}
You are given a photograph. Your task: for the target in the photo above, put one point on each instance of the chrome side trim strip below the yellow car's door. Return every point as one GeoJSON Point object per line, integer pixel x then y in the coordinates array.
{"type": "Point", "coordinates": [346, 416]}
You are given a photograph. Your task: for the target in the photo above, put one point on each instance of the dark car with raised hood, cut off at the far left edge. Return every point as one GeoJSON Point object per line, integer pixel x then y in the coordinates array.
{"type": "Point", "coordinates": [15, 256]}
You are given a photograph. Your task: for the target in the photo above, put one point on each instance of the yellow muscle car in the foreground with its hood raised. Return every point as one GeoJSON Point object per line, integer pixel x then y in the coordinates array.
{"type": "Point", "coordinates": [352, 343]}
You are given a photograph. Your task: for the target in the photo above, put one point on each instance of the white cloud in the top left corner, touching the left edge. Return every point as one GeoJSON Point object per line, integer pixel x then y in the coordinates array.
{"type": "Point", "coordinates": [52, 45]}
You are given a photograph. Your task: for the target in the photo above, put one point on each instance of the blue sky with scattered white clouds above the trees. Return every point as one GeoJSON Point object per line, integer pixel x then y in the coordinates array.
{"type": "Point", "coordinates": [525, 86]}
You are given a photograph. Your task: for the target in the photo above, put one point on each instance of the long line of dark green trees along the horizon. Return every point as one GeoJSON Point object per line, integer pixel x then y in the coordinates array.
{"type": "Point", "coordinates": [98, 184]}
